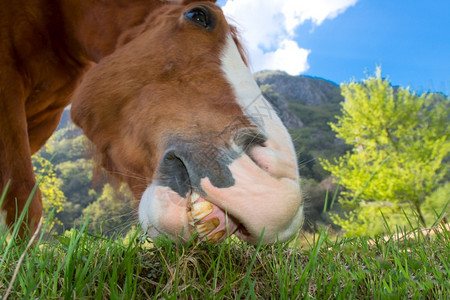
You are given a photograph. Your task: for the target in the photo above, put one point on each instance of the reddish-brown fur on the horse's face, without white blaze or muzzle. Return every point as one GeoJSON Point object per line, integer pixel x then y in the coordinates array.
{"type": "Point", "coordinates": [154, 93]}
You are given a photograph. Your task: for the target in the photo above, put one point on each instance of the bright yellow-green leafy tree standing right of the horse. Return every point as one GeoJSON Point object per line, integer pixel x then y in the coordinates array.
{"type": "Point", "coordinates": [400, 142]}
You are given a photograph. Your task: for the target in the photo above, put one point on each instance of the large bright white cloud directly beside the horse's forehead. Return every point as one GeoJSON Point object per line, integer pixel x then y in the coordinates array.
{"type": "Point", "coordinates": [268, 29]}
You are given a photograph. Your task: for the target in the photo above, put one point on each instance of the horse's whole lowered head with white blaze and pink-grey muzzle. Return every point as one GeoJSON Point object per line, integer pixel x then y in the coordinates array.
{"type": "Point", "coordinates": [176, 114]}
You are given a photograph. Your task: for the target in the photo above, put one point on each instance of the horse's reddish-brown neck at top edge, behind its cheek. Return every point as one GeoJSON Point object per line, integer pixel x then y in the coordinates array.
{"type": "Point", "coordinates": [92, 28]}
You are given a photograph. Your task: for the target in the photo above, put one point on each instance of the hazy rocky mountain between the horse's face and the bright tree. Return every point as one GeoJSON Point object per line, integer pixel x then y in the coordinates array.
{"type": "Point", "coordinates": [306, 105]}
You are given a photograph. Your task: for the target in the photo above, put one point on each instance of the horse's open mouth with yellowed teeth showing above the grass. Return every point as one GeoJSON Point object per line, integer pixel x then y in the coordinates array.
{"type": "Point", "coordinates": [210, 221]}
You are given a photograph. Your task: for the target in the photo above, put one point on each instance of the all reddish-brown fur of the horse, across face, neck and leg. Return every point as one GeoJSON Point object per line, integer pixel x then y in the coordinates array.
{"type": "Point", "coordinates": [46, 48]}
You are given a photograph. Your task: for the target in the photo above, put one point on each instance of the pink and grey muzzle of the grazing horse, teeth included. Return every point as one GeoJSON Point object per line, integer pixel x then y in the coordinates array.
{"type": "Point", "coordinates": [250, 189]}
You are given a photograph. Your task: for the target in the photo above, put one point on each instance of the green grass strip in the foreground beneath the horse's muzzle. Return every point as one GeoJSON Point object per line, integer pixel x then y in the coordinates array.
{"type": "Point", "coordinates": [81, 265]}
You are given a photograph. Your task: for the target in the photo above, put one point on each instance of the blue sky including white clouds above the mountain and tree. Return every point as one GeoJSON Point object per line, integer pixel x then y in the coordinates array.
{"type": "Point", "coordinates": [344, 39]}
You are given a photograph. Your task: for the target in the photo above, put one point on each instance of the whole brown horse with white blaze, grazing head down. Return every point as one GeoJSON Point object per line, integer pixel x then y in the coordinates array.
{"type": "Point", "coordinates": [163, 91]}
